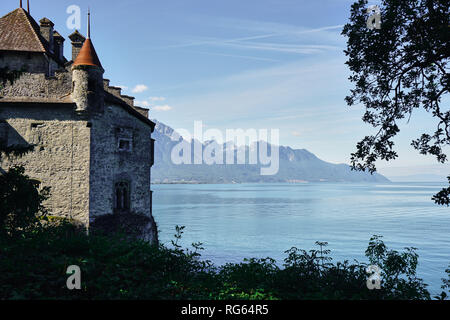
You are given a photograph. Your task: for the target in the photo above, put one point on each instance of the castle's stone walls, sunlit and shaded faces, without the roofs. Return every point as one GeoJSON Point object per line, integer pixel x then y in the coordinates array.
{"type": "Point", "coordinates": [77, 143]}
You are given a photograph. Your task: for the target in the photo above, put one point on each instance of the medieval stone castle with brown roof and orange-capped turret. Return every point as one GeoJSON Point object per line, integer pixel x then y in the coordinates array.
{"type": "Point", "coordinates": [93, 146]}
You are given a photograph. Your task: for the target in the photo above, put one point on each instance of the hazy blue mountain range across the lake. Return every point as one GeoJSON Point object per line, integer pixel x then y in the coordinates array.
{"type": "Point", "coordinates": [295, 166]}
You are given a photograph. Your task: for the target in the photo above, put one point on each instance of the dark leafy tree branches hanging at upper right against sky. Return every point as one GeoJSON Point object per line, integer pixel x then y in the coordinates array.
{"type": "Point", "coordinates": [396, 70]}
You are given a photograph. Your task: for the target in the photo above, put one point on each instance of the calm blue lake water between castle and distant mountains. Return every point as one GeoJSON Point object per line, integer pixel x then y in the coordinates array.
{"type": "Point", "coordinates": [265, 220]}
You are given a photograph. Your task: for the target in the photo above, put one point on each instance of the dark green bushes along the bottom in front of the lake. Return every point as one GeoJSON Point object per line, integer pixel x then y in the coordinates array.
{"type": "Point", "coordinates": [34, 266]}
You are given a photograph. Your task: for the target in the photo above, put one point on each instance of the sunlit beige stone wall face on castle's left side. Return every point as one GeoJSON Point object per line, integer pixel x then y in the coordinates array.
{"type": "Point", "coordinates": [61, 156]}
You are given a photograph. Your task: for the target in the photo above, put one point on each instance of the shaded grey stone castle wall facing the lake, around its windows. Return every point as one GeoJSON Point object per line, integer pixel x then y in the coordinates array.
{"type": "Point", "coordinates": [110, 165]}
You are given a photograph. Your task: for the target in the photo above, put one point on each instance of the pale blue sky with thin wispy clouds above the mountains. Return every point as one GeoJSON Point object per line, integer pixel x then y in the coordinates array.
{"type": "Point", "coordinates": [261, 64]}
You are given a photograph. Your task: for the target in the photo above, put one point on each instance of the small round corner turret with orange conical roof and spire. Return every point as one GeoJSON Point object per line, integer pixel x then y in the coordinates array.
{"type": "Point", "coordinates": [87, 75]}
